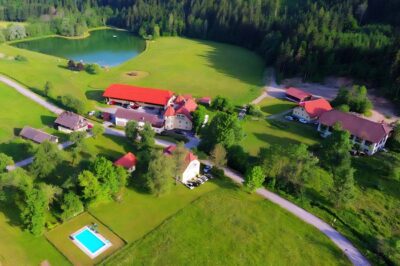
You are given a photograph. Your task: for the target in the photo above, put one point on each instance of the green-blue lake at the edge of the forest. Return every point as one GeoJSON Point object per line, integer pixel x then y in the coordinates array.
{"type": "Point", "coordinates": [103, 47]}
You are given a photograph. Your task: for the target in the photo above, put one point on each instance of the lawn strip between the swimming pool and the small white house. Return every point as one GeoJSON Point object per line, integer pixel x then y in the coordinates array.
{"type": "Point", "coordinates": [140, 213]}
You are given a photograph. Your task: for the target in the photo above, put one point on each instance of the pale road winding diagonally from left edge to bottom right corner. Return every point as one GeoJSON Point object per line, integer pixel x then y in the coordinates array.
{"type": "Point", "coordinates": [351, 252]}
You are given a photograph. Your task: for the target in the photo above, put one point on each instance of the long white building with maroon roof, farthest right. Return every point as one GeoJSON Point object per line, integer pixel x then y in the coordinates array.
{"type": "Point", "coordinates": [369, 136]}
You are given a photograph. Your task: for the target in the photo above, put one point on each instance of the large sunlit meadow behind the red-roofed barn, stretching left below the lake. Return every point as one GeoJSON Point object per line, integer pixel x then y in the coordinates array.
{"type": "Point", "coordinates": [183, 65]}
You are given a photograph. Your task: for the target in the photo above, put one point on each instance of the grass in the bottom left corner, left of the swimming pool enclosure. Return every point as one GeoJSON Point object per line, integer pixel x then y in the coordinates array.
{"type": "Point", "coordinates": [18, 247]}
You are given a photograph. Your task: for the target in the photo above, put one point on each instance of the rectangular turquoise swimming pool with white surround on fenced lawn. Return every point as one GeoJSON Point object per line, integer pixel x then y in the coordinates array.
{"type": "Point", "coordinates": [90, 242]}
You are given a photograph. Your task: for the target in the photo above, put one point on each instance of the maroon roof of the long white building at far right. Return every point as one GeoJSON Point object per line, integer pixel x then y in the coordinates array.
{"type": "Point", "coordinates": [357, 126]}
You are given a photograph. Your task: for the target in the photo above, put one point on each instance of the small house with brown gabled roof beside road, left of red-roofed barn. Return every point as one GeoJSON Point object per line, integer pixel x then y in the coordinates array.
{"type": "Point", "coordinates": [68, 122]}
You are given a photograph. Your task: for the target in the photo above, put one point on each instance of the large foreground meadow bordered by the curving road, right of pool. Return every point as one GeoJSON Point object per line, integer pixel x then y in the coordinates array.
{"type": "Point", "coordinates": [229, 227]}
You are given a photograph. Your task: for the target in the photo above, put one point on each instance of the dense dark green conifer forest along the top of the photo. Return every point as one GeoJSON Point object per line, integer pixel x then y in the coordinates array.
{"type": "Point", "coordinates": [359, 38]}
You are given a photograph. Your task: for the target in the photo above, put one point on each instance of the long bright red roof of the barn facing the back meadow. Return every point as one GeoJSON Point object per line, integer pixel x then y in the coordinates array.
{"type": "Point", "coordinates": [138, 94]}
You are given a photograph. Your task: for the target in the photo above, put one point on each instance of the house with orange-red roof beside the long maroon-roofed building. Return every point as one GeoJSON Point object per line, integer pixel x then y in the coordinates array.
{"type": "Point", "coordinates": [311, 110]}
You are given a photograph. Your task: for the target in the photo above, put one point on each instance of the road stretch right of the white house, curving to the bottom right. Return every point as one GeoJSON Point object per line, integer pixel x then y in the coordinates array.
{"type": "Point", "coordinates": [345, 245]}
